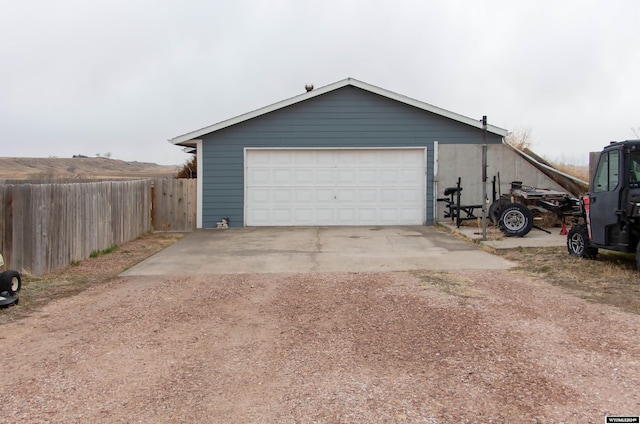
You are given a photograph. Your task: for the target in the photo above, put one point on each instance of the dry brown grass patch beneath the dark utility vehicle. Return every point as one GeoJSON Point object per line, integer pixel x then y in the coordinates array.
{"type": "Point", "coordinates": [613, 278]}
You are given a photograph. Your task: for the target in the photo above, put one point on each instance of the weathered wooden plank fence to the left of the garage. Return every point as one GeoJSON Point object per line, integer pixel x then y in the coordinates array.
{"type": "Point", "coordinates": [47, 226]}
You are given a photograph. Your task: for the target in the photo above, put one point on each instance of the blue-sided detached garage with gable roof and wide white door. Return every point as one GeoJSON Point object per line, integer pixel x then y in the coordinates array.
{"type": "Point", "coordinates": [348, 153]}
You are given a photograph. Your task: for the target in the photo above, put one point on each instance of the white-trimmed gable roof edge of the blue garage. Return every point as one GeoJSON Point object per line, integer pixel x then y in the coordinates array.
{"type": "Point", "coordinates": [188, 138]}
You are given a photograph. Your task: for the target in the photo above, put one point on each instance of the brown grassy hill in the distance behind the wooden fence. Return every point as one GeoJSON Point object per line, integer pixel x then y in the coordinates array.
{"type": "Point", "coordinates": [81, 168]}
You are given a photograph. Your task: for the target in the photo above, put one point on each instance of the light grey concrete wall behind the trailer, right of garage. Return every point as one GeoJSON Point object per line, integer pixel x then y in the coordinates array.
{"type": "Point", "coordinates": [465, 161]}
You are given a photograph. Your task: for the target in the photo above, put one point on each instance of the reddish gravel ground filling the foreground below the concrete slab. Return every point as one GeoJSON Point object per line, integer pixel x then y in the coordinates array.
{"type": "Point", "coordinates": [415, 347]}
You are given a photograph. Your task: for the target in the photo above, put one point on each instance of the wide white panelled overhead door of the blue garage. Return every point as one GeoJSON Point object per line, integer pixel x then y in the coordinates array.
{"type": "Point", "coordinates": [335, 187]}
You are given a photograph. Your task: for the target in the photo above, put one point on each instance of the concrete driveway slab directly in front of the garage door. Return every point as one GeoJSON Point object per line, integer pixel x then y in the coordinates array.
{"type": "Point", "coordinates": [316, 249]}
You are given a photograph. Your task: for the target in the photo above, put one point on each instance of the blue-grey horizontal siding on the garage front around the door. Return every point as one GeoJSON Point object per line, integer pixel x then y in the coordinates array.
{"type": "Point", "coordinates": [347, 117]}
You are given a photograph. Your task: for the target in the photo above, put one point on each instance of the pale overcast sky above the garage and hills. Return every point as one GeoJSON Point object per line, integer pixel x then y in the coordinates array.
{"type": "Point", "coordinates": [121, 77]}
